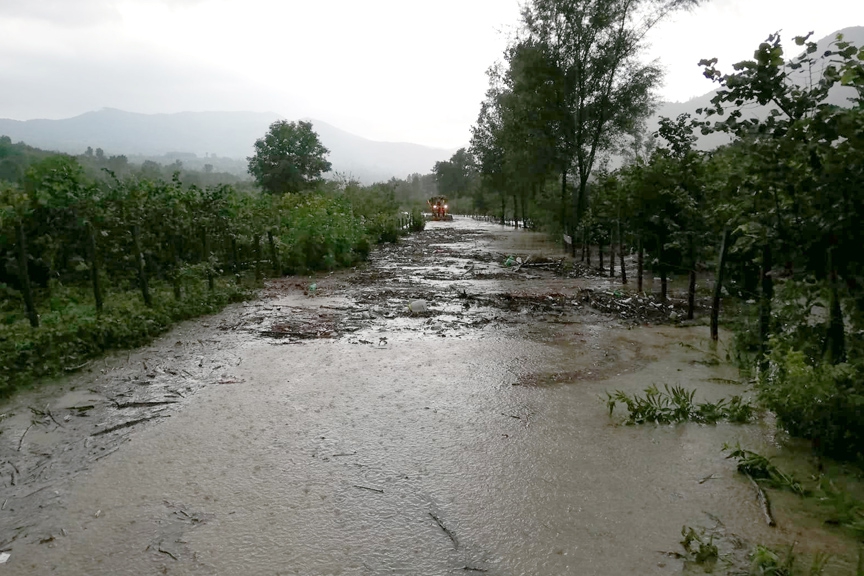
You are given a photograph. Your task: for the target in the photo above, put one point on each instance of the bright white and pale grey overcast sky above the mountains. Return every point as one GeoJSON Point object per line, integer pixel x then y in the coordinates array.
{"type": "Point", "coordinates": [400, 70]}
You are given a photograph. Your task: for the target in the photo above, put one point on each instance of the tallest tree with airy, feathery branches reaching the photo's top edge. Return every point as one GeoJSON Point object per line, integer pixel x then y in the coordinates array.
{"type": "Point", "coordinates": [596, 45]}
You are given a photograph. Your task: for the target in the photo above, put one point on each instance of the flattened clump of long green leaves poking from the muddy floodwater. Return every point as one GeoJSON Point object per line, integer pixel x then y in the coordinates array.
{"type": "Point", "coordinates": [676, 404]}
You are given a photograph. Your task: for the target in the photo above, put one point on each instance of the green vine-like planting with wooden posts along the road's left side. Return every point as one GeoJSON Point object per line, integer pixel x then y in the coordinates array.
{"type": "Point", "coordinates": [114, 261]}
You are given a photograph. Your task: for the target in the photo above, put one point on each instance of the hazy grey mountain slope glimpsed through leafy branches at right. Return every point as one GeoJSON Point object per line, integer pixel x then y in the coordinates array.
{"type": "Point", "coordinates": [839, 94]}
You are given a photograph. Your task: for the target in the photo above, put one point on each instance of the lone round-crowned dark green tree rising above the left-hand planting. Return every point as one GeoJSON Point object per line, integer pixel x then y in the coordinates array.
{"type": "Point", "coordinates": [289, 158]}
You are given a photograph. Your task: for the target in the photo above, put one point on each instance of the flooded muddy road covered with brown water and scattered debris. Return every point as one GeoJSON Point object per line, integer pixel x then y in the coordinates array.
{"type": "Point", "coordinates": [333, 430]}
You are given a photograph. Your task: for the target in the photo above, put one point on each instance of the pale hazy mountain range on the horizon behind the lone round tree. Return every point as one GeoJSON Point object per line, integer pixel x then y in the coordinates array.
{"type": "Point", "coordinates": [224, 134]}
